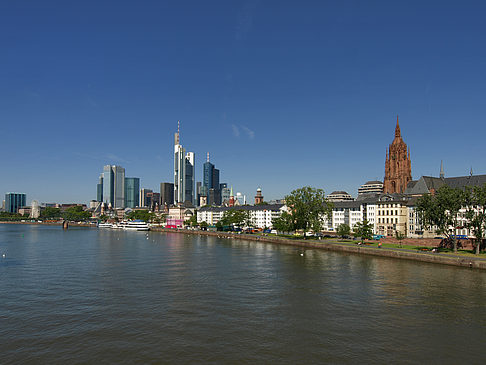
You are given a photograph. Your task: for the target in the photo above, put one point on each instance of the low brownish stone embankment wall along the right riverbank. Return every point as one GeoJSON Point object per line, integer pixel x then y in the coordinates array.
{"type": "Point", "coordinates": [330, 245]}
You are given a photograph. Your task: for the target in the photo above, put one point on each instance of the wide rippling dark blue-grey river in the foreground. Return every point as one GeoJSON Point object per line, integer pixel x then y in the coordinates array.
{"type": "Point", "coordinates": [87, 296]}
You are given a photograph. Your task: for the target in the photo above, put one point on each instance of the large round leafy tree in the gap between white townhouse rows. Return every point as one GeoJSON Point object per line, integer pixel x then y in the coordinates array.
{"type": "Point", "coordinates": [308, 206]}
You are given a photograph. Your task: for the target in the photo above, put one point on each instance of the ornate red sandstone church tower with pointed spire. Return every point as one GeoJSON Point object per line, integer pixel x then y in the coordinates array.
{"type": "Point", "coordinates": [398, 167]}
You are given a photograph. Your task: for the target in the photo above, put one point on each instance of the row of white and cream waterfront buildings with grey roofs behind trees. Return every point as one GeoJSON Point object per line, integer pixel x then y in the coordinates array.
{"type": "Point", "coordinates": [387, 213]}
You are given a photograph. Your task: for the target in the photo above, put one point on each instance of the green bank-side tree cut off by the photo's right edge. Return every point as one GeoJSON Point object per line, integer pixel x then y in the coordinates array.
{"type": "Point", "coordinates": [475, 205]}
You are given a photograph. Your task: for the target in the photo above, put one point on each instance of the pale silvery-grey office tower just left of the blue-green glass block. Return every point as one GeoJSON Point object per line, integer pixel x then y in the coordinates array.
{"type": "Point", "coordinates": [114, 186]}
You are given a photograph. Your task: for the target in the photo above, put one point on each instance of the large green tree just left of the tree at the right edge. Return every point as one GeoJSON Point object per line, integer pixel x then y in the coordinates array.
{"type": "Point", "coordinates": [441, 210]}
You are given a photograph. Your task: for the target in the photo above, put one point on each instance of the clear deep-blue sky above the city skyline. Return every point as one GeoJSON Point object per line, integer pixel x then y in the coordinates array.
{"type": "Point", "coordinates": [283, 94]}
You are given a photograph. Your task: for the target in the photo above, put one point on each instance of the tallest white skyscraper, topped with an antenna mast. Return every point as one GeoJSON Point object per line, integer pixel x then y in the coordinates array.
{"type": "Point", "coordinates": [184, 169]}
